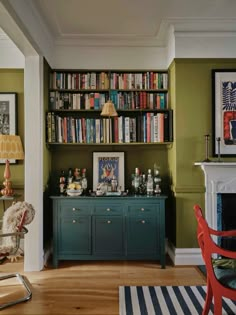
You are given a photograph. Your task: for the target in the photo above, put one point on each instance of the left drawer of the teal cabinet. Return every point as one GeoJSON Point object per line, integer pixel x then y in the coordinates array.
{"type": "Point", "coordinates": [74, 208]}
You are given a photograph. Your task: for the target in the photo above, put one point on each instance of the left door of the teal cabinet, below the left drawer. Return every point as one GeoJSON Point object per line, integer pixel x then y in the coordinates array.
{"type": "Point", "coordinates": [75, 235]}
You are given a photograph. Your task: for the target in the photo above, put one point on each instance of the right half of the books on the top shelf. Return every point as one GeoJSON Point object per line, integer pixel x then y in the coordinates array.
{"type": "Point", "coordinates": [146, 80]}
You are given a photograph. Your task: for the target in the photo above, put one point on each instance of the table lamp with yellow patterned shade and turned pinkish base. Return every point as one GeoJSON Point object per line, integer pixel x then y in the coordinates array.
{"type": "Point", "coordinates": [10, 148]}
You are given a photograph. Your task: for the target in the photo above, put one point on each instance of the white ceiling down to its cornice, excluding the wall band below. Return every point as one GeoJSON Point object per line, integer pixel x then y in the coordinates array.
{"type": "Point", "coordinates": [145, 21]}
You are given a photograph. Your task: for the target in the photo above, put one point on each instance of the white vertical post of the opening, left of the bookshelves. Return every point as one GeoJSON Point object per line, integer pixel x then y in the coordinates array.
{"type": "Point", "coordinates": [34, 160]}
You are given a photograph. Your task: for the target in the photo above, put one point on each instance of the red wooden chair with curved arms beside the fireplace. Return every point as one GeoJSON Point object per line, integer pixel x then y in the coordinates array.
{"type": "Point", "coordinates": [221, 281]}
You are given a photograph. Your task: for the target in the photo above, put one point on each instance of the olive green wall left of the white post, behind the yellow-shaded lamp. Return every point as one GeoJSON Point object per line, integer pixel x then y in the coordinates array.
{"type": "Point", "coordinates": [12, 80]}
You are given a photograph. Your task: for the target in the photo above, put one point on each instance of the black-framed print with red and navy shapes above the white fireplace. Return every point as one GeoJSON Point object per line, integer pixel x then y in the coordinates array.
{"type": "Point", "coordinates": [224, 112]}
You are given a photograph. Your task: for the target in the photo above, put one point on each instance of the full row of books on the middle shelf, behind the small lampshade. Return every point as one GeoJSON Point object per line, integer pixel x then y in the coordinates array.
{"type": "Point", "coordinates": [121, 100]}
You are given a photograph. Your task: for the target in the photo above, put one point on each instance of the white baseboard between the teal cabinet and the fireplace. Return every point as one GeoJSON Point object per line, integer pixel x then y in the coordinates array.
{"type": "Point", "coordinates": [185, 256]}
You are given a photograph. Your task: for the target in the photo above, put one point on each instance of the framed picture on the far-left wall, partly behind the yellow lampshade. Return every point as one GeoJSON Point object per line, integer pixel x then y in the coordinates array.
{"type": "Point", "coordinates": [8, 116]}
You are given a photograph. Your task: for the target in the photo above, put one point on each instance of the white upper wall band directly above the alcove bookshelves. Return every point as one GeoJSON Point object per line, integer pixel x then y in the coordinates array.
{"type": "Point", "coordinates": [72, 57]}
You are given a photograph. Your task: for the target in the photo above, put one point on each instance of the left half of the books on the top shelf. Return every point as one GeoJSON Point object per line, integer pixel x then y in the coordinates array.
{"type": "Point", "coordinates": [77, 81]}
